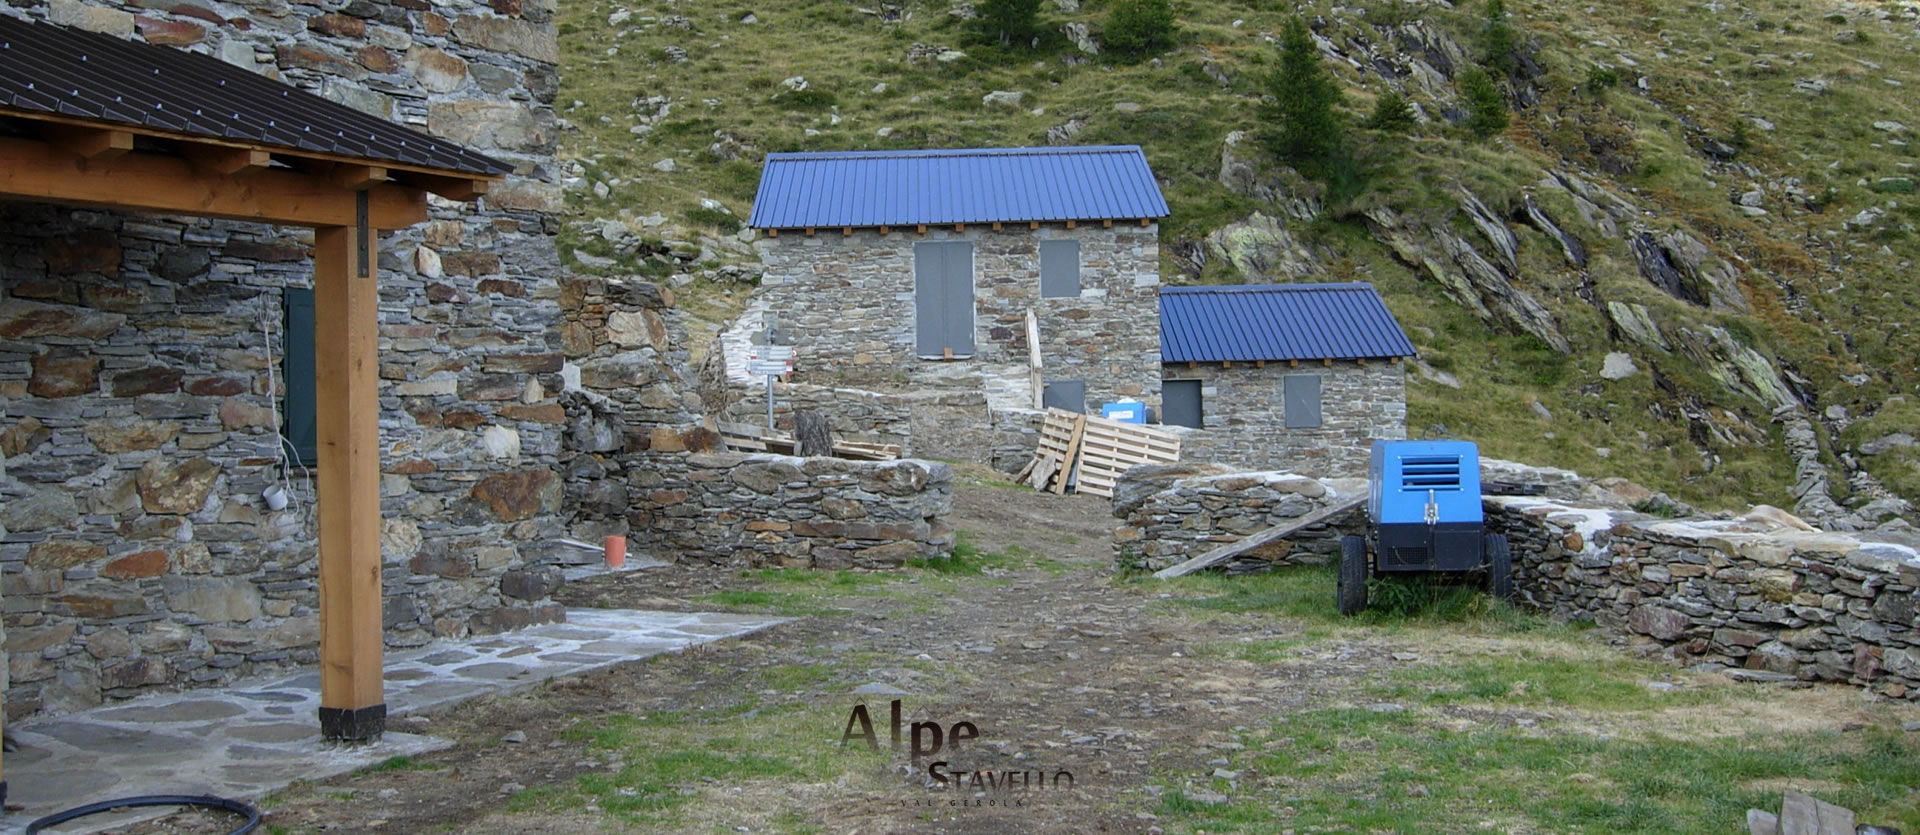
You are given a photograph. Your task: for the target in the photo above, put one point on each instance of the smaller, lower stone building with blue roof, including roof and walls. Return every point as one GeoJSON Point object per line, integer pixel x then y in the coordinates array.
{"type": "Point", "coordinates": [1284, 377]}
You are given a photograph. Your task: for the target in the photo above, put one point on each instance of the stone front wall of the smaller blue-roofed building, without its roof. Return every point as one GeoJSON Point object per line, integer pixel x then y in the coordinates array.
{"type": "Point", "coordinates": [1245, 425]}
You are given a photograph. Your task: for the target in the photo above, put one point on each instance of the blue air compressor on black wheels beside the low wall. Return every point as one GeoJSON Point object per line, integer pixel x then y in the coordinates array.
{"type": "Point", "coordinates": [1424, 515]}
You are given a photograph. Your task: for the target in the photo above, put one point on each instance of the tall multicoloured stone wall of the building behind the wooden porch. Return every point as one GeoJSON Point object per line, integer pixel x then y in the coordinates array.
{"type": "Point", "coordinates": [135, 404]}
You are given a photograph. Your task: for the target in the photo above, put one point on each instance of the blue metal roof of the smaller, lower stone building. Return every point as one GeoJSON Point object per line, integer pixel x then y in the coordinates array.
{"type": "Point", "coordinates": [1278, 322]}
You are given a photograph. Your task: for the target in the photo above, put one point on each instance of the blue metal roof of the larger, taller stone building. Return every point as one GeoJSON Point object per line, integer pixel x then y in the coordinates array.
{"type": "Point", "coordinates": [982, 185]}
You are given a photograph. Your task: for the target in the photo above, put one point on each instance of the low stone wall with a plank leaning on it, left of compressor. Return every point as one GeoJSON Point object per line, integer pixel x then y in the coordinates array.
{"type": "Point", "coordinates": [1180, 512]}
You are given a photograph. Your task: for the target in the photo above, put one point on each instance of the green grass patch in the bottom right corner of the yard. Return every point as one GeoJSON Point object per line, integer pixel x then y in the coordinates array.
{"type": "Point", "coordinates": [1362, 771]}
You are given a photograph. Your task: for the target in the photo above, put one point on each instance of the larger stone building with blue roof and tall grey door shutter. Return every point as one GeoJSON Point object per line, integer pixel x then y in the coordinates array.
{"type": "Point", "coordinates": [917, 270]}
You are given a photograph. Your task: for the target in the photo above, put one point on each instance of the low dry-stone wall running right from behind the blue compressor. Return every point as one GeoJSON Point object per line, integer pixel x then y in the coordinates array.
{"type": "Point", "coordinates": [1777, 602]}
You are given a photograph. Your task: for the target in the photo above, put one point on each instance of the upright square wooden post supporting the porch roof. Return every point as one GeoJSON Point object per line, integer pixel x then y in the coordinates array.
{"type": "Point", "coordinates": [347, 381]}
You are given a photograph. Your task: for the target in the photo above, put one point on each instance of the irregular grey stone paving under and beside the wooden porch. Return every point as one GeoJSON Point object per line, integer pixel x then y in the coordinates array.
{"type": "Point", "coordinates": [260, 736]}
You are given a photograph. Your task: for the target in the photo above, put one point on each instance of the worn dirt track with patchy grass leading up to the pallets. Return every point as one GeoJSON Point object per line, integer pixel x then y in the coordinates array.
{"type": "Point", "coordinates": [1034, 642]}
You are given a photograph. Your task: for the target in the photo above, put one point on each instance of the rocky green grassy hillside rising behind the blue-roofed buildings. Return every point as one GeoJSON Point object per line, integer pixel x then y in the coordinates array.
{"type": "Point", "coordinates": [1679, 110]}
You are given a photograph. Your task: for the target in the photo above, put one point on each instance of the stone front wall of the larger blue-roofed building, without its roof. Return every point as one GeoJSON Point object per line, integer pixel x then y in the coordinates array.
{"type": "Point", "coordinates": [850, 304]}
